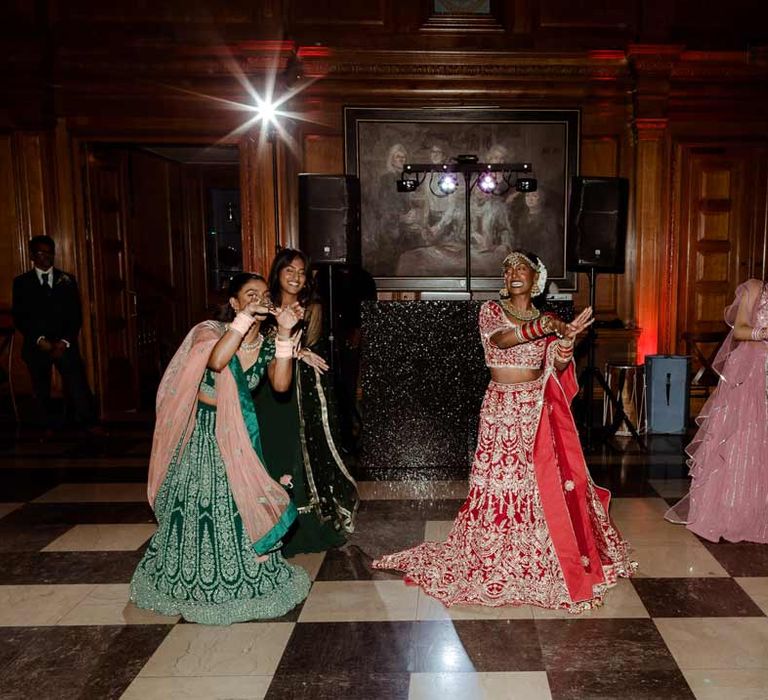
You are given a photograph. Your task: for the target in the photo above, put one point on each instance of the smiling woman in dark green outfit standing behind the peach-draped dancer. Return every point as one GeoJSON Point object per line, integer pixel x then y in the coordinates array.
{"type": "Point", "coordinates": [299, 427]}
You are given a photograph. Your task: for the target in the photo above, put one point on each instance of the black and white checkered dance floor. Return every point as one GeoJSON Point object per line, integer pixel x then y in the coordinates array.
{"type": "Point", "coordinates": [74, 522]}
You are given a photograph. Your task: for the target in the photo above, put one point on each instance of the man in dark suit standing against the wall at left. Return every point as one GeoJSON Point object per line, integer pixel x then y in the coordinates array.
{"type": "Point", "coordinates": [46, 309]}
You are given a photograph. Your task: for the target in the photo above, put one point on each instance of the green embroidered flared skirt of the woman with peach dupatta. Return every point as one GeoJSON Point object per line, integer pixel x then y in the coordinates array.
{"type": "Point", "coordinates": [200, 564]}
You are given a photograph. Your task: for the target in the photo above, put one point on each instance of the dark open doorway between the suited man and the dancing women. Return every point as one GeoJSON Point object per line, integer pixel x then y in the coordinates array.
{"type": "Point", "coordinates": [154, 216]}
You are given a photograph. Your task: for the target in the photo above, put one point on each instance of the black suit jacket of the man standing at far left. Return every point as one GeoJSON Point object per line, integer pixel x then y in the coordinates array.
{"type": "Point", "coordinates": [40, 310]}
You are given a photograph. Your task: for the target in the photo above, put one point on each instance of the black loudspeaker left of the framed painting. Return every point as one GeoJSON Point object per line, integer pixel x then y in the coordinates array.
{"type": "Point", "coordinates": [329, 218]}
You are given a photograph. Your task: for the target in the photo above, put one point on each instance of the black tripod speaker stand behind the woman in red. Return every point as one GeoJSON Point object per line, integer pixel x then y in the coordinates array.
{"type": "Point", "coordinates": [591, 374]}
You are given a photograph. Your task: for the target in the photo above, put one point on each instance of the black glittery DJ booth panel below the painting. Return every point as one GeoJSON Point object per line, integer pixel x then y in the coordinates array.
{"type": "Point", "coordinates": [423, 377]}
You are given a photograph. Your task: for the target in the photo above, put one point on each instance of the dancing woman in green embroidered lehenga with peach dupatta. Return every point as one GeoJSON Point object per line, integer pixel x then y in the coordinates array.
{"type": "Point", "coordinates": [215, 557]}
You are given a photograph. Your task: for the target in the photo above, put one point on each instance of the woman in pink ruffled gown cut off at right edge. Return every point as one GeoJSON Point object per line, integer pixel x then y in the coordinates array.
{"type": "Point", "coordinates": [728, 458]}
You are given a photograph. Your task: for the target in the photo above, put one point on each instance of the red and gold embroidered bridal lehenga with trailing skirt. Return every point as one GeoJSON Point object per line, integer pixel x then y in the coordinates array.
{"type": "Point", "coordinates": [534, 529]}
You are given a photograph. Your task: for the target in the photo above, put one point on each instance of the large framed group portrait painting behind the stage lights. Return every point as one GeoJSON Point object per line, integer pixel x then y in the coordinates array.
{"type": "Point", "coordinates": [417, 240]}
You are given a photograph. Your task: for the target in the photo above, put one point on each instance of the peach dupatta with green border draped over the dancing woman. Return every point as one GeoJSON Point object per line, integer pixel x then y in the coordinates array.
{"type": "Point", "coordinates": [264, 505]}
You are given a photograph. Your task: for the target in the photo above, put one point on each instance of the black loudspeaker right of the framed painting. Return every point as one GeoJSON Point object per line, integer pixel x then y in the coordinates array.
{"type": "Point", "coordinates": [597, 224]}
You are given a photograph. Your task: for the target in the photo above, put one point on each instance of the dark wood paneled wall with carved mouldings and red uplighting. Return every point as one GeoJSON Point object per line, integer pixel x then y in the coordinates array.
{"type": "Point", "coordinates": [658, 84]}
